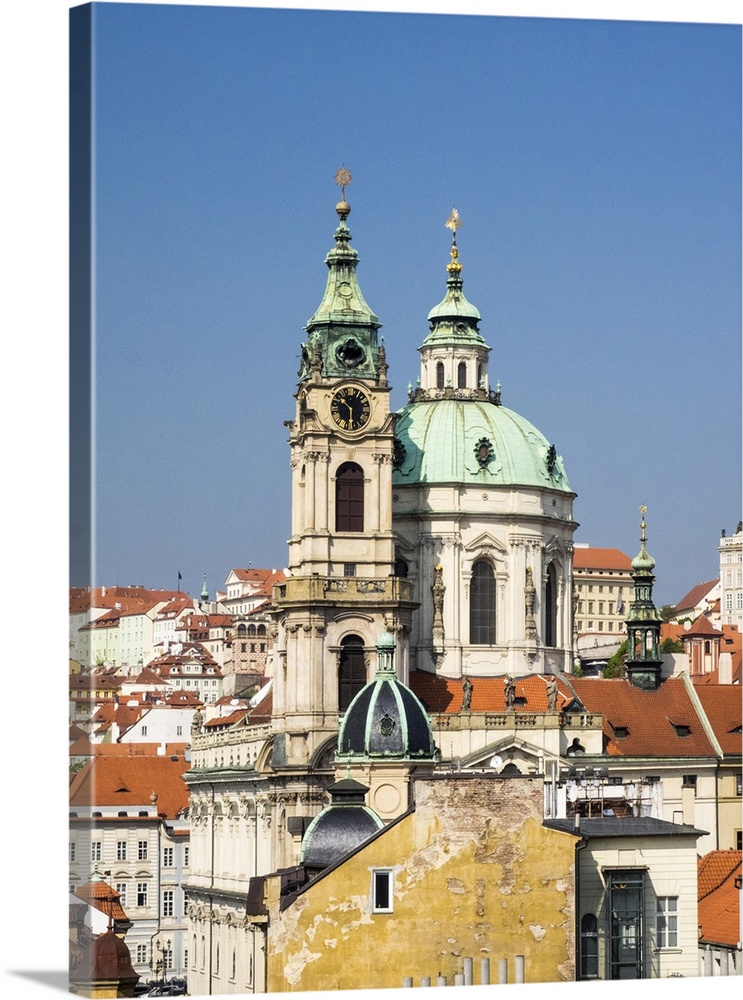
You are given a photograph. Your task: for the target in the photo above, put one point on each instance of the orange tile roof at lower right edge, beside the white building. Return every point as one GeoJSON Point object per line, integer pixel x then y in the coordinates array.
{"type": "Point", "coordinates": [718, 915]}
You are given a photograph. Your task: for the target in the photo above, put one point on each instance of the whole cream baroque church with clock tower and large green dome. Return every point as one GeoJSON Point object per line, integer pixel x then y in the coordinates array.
{"type": "Point", "coordinates": [436, 541]}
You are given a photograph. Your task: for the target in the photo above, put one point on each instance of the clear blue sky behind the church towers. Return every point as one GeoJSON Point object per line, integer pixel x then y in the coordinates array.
{"type": "Point", "coordinates": [596, 166]}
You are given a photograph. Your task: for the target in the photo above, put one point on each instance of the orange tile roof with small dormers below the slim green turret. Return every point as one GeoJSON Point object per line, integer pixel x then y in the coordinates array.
{"type": "Point", "coordinates": [651, 718]}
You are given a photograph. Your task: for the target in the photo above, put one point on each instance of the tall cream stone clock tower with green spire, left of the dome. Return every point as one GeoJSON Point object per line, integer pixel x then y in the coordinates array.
{"type": "Point", "coordinates": [341, 590]}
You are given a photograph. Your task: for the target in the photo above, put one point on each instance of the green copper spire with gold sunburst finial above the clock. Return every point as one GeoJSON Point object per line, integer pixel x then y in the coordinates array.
{"type": "Point", "coordinates": [343, 329]}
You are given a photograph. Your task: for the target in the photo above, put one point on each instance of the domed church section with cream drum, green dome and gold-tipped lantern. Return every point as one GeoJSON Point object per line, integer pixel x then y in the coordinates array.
{"type": "Point", "coordinates": [482, 510]}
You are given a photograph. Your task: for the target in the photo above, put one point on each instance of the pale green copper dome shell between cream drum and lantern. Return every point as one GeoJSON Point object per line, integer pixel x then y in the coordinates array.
{"type": "Point", "coordinates": [473, 442]}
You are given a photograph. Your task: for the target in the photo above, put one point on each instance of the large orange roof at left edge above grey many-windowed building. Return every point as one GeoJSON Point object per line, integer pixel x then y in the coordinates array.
{"type": "Point", "coordinates": [118, 781]}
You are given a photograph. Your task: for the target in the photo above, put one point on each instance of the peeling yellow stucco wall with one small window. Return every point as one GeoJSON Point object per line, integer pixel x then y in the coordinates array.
{"type": "Point", "coordinates": [475, 875]}
